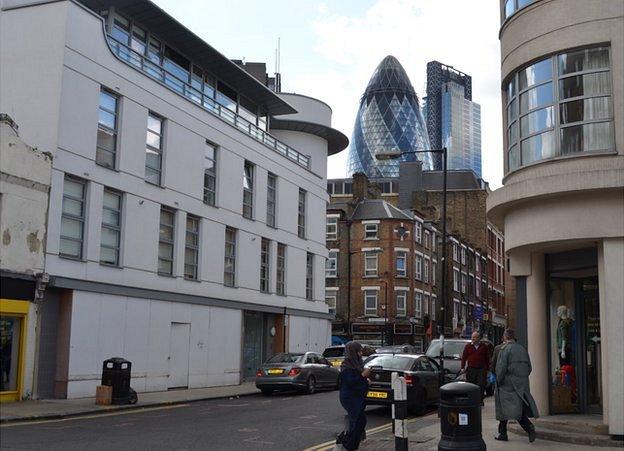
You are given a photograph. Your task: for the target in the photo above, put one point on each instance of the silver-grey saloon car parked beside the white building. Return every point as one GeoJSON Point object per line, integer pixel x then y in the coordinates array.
{"type": "Point", "coordinates": [305, 372]}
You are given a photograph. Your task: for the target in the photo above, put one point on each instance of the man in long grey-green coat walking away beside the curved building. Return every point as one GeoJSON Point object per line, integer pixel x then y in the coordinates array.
{"type": "Point", "coordinates": [513, 397]}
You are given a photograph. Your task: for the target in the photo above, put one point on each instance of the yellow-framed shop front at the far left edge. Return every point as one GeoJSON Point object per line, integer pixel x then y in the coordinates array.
{"type": "Point", "coordinates": [13, 326]}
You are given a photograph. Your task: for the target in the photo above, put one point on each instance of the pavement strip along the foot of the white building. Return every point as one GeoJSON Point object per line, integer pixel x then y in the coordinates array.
{"type": "Point", "coordinates": [62, 408]}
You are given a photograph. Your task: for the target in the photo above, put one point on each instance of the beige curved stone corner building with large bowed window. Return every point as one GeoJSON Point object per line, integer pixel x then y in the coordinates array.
{"type": "Point", "coordinates": [562, 203]}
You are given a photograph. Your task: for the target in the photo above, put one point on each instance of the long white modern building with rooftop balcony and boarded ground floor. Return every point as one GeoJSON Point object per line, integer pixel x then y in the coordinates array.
{"type": "Point", "coordinates": [187, 204]}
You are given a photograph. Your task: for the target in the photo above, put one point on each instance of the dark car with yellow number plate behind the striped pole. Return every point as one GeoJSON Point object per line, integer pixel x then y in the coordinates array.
{"type": "Point", "coordinates": [421, 375]}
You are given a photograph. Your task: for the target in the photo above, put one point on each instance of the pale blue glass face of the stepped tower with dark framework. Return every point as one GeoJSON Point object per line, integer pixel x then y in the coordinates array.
{"type": "Point", "coordinates": [461, 129]}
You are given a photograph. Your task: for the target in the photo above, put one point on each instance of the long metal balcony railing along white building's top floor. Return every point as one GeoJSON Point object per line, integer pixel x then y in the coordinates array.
{"type": "Point", "coordinates": [157, 72]}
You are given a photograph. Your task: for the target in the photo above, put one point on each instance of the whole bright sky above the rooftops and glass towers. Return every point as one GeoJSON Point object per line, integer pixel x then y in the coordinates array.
{"type": "Point", "coordinates": [329, 50]}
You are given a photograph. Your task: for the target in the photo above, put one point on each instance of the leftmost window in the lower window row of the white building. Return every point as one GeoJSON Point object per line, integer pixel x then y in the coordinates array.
{"type": "Point", "coordinates": [73, 217]}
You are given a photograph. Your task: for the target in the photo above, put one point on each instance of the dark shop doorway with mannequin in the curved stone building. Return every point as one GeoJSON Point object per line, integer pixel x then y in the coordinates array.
{"type": "Point", "coordinates": [575, 342]}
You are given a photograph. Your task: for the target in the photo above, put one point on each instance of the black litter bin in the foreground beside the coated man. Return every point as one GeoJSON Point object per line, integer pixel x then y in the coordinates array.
{"type": "Point", "coordinates": [460, 417]}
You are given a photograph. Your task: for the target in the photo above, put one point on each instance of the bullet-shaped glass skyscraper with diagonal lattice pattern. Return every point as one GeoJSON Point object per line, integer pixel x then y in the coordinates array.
{"type": "Point", "coordinates": [389, 119]}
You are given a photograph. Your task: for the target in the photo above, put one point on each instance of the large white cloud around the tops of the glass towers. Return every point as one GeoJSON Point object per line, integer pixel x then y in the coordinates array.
{"type": "Point", "coordinates": [460, 33]}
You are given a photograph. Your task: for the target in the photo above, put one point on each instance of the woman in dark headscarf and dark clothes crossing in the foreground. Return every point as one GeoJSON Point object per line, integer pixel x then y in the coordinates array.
{"type": "Point", "coordinates": [353, 389]}
